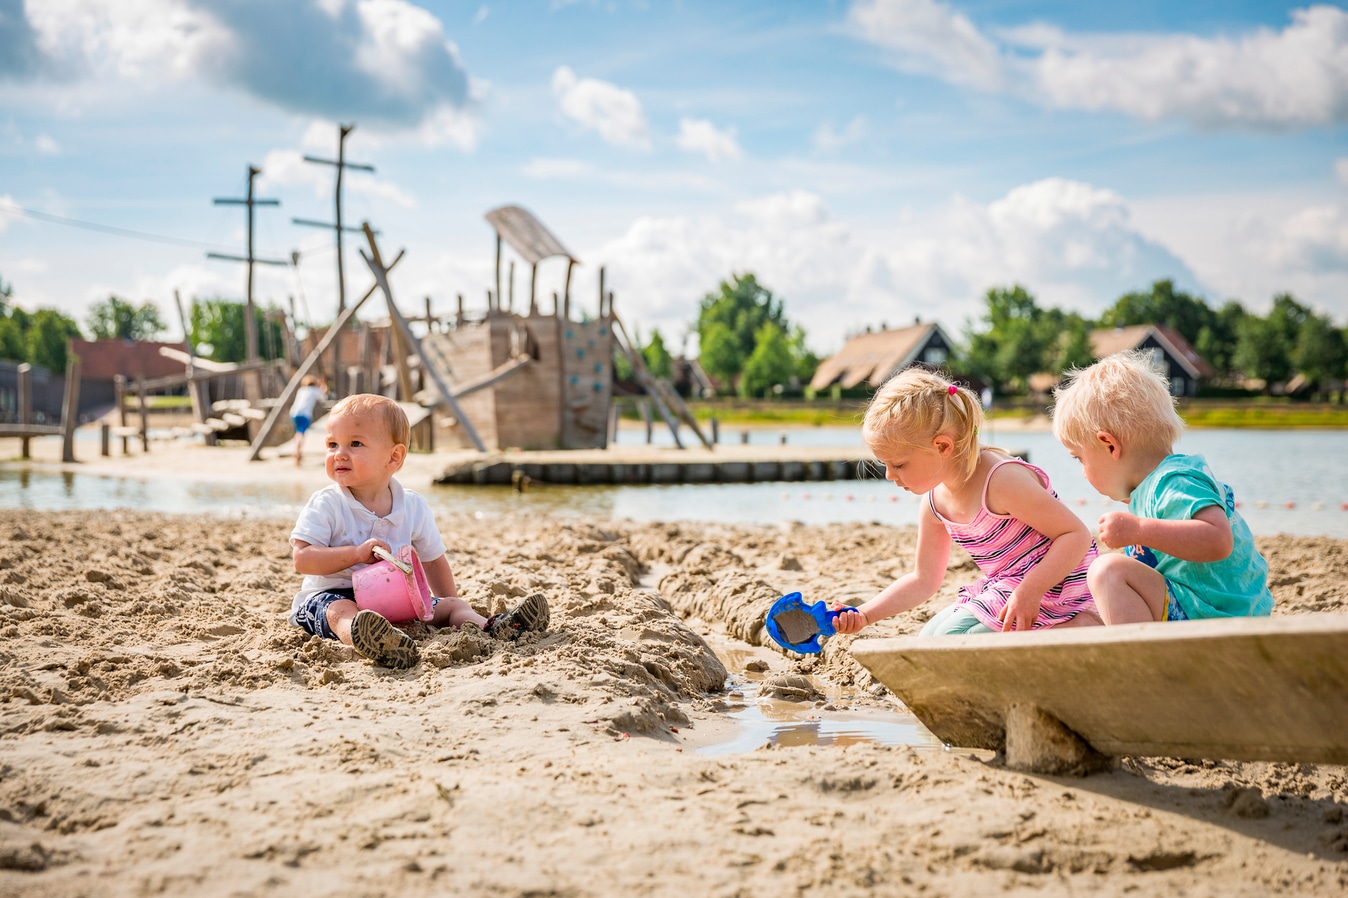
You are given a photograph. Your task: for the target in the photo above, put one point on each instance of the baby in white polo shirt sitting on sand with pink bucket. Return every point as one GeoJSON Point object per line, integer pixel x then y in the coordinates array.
{"type": "Point", "coordinates": [366, 508]}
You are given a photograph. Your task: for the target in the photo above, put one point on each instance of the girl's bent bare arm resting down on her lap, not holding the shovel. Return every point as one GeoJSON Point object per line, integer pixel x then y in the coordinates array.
{"type": "Point", "coordinates": [1016, 491]}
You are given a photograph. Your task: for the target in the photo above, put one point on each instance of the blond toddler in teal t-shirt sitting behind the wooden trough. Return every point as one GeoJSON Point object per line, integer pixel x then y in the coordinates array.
{"type": "Point", "coordinates": [1190, 553]}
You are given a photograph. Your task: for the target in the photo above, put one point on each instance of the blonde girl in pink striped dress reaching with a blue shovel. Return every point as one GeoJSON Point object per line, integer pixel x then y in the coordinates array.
{"type": "Point", "coordinates": [1032, 549]}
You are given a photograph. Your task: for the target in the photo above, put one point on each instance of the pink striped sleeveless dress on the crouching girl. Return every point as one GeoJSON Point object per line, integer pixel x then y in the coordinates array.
{"type": "Point", "coordinates": [1005, 551]}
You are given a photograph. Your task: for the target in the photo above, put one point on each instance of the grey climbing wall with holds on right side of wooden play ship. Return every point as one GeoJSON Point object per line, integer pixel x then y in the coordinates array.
{"type": "Point", "coordinates": [587, 384]}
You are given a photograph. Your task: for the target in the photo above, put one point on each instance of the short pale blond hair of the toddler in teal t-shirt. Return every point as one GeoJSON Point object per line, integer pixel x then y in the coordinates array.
{"type": "Point", "coordinates": [1122, 396]}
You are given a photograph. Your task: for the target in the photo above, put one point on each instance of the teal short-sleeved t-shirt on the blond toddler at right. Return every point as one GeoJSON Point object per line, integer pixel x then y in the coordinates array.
{"type": "Point", "coordinates": [1235, 587]}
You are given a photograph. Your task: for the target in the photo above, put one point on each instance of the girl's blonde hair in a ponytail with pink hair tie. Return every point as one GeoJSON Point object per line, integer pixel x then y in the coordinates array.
{"type": "Point", "coordinates": [915, 407]}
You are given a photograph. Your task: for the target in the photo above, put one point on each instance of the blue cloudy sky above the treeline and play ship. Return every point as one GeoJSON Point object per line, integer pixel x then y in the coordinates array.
{"type": "Point", "coordinates": [871, 162]}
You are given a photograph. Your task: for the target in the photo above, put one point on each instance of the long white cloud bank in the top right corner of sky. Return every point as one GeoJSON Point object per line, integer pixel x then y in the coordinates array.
{"type": "Point", "coordinates": [1264, 80]}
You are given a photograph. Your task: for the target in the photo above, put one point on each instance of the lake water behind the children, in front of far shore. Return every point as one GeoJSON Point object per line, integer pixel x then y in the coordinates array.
{"type": "Point", "coordinates": [1285, 481]}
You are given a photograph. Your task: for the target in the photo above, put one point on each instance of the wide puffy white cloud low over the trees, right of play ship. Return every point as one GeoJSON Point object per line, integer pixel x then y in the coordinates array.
{"type": "Point", "coordinates": [1072, 245]}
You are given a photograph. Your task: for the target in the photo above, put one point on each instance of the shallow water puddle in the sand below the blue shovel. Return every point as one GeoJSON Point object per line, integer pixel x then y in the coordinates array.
{"type": "Point", "coordinates": [764, 721]}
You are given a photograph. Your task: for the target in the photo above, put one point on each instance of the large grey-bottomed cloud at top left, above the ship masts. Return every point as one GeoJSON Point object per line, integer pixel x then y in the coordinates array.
{"type": "Point", "coordinates": [388, 63]}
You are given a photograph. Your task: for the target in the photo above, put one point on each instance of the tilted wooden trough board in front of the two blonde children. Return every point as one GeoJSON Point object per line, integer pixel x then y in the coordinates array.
{"type": "Point", "coordinates": [1246, 690]}
